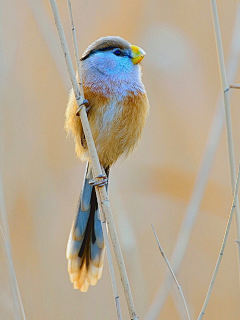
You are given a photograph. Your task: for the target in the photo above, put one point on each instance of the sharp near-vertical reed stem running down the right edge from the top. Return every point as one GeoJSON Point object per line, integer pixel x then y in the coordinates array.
{"type": "Point", "coordinates": [227, 113]}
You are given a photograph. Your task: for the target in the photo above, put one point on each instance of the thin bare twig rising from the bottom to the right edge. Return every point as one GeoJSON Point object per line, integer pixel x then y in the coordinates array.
{"type": "Point", "coordinates": [222, 248]}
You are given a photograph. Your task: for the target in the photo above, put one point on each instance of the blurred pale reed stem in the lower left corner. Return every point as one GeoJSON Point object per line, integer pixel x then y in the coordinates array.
{"type": "Point", "coordinates": [4, 231]}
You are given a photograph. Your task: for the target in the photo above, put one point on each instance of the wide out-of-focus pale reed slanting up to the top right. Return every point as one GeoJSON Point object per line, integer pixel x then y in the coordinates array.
{"type": "Point", "coordinates": [200, 183]}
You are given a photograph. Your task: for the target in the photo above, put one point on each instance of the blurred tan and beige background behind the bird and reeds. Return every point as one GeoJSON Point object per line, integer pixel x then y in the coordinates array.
{"type": "Point", "coordinates": [42, 179]}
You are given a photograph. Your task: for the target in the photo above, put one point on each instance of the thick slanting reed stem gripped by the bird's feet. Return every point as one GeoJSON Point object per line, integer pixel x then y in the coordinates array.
{"type": "Point", "coordinates": [96, 166]}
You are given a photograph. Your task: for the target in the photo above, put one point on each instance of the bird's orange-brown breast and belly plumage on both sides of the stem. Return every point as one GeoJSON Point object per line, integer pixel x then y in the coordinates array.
{"type": "Point", "coordinates": [116, 125]}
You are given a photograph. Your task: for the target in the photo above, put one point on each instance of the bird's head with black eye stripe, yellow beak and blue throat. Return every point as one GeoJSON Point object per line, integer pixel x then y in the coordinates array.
{"type": "Point", "coordinates": [112, 60]}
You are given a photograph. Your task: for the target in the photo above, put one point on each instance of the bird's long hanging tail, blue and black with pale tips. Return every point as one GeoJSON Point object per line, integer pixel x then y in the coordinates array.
{"type": "Point", "coordinates": [85, 249]}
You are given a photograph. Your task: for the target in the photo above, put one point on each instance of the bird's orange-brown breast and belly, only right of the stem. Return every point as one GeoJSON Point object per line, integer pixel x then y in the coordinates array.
{"type": "Point", "coordinates": [116, 122]}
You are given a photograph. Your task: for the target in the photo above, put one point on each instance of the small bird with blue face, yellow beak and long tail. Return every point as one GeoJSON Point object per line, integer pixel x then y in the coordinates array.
{"type": "Point", "coordinates": [117, 110]}
